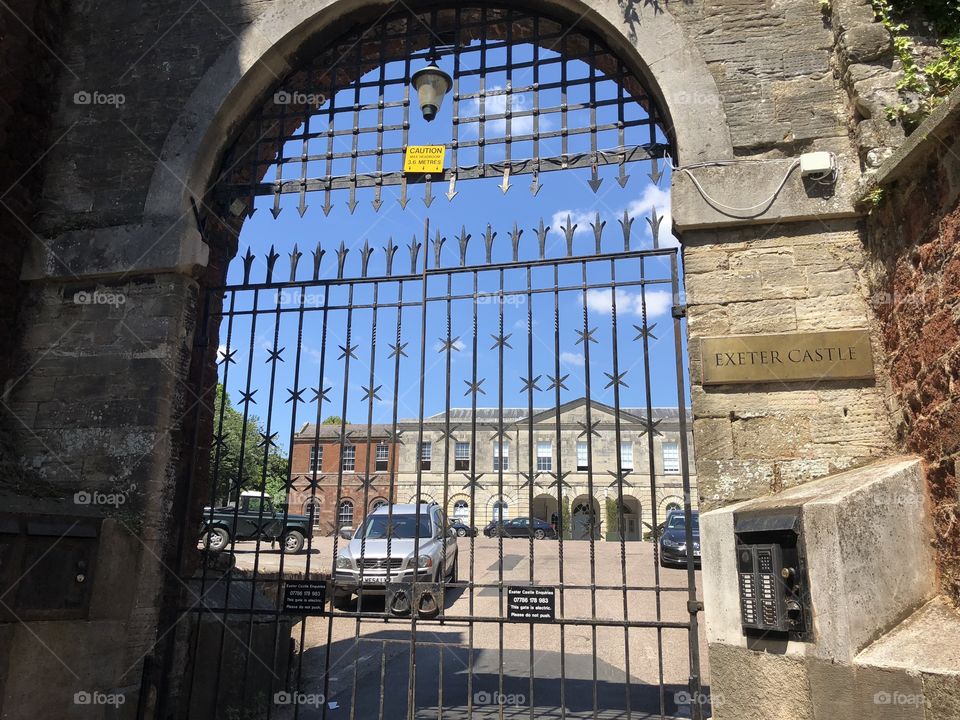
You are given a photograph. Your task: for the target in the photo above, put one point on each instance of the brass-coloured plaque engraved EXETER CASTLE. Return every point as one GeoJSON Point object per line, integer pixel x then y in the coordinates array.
{"type": "Point", "coordinates": [790, 357]}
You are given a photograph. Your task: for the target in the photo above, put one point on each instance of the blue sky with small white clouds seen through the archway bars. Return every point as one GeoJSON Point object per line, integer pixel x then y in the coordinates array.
{"type": "Point", "coordinates": [479, 202]}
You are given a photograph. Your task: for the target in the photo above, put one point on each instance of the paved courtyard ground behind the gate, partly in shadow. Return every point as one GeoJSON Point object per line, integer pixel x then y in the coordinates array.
{"type": "Point", "coordinates": [457, 665]}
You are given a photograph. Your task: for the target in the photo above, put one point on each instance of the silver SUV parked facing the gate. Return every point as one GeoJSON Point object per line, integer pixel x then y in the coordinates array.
{"type": "Point", "coordinates": [436, 559]}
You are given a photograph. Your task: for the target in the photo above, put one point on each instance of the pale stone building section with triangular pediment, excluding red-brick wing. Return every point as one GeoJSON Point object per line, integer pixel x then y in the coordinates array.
{"type": "Point", "coordinates": [479, 484]}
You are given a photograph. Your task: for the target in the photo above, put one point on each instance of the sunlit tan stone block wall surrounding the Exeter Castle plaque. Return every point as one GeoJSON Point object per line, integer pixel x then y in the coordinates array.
{"type": "Point", "coordinates": [753, 440]}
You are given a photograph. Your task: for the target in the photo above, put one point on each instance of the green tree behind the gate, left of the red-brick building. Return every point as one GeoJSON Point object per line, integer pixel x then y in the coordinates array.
{"type": "Point", "coordinates": [246, 470]}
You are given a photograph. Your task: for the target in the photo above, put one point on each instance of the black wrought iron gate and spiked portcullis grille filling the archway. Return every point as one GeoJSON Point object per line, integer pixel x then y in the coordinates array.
{"type": "Point", "coordinates": [506, 375]}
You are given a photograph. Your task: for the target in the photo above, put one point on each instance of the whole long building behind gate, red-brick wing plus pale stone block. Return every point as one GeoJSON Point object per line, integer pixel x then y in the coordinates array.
{"type": "Point", "coordinates": [447, 464]}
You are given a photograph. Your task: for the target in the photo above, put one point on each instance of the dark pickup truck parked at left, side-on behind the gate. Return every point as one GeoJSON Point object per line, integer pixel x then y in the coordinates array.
{"type": "Point", "coordinates": [255, 518]}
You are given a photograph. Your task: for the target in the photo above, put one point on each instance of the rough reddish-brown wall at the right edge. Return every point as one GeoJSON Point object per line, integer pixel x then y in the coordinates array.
{"type": "Point", "coordinates": [914, 241]}
